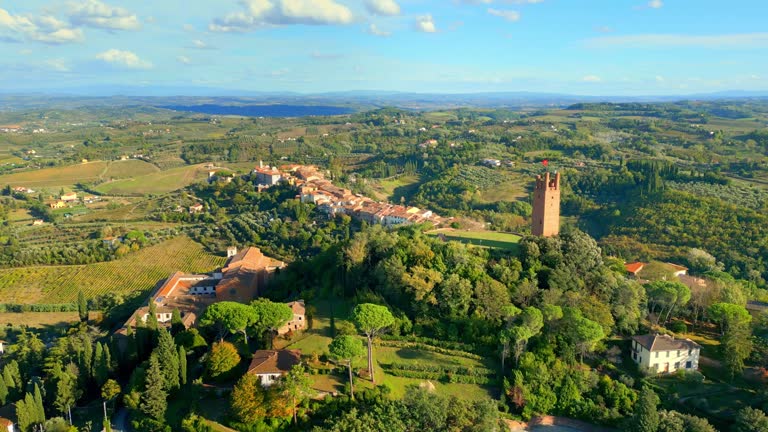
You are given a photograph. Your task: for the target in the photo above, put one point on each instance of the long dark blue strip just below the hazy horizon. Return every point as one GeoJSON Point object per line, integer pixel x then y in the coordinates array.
{"type": "Point", "coordinates": [263, 110]}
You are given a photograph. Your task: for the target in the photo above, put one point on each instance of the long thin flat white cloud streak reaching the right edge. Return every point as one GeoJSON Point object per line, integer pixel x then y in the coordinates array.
{"type": "Point", "coordinates": [723, 41]}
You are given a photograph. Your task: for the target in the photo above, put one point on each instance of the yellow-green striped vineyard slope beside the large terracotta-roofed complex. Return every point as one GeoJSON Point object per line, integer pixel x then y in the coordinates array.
{"type": "Point", "coordinates": [137, 272]}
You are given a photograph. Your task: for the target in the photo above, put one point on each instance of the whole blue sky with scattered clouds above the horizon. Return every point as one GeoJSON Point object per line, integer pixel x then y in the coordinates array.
{"type": "Point", "coordinates": [590, 47]}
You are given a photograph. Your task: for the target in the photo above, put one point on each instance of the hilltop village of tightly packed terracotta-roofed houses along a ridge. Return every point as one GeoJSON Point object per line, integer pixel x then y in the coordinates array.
{"type": "Point", "coordinates": [314, 188]}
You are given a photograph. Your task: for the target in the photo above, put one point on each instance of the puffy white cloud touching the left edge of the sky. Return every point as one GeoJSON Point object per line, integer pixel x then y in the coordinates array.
{"type": "Point", "coordinates": [44, 28]}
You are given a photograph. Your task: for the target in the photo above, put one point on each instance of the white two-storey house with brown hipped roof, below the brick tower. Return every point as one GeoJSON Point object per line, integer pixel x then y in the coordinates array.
{"type": "Point", "coordinates": [665, 354]}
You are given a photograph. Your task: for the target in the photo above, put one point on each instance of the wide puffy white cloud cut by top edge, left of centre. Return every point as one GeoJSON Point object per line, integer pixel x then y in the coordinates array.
{"type": "Point", "coordinates": [261, 13]}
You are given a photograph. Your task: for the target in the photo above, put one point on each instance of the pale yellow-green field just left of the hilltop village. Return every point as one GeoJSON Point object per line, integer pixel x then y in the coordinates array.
{"type": "Point", "coordinates": [155, 183]}
